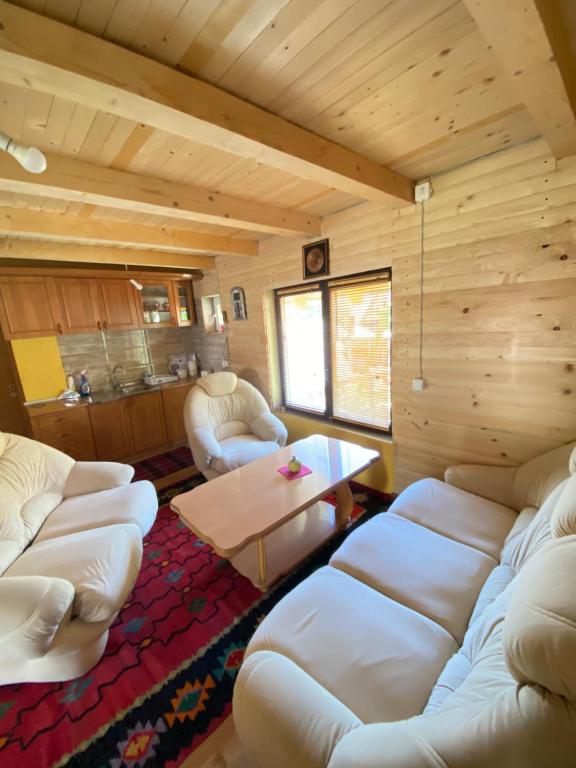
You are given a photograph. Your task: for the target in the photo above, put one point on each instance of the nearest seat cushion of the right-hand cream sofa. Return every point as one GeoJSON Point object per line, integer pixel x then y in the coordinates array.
{"type": "Point", "coordinates": [376, 656]}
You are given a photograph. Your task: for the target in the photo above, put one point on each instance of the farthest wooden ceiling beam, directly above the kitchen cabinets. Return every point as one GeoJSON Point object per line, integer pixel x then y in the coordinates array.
{"type": "Point", "coordinates": [40, 250]}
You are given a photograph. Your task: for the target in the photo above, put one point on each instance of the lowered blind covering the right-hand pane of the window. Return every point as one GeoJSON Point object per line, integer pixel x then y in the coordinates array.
{"type": "Point", "coordinates": [360, 350]}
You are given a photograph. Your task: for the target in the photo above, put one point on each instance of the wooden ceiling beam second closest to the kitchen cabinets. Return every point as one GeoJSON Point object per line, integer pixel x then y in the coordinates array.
{"type": "Point", "coordinates": [24, 222]}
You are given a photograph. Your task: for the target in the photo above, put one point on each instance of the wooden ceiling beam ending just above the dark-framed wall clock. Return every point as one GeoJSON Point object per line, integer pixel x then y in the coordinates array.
{"type": "Point", "coordinates": [69, 179]}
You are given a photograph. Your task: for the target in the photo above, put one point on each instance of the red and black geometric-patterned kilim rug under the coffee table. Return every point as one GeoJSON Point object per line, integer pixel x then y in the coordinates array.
{"type": "Point", "coordinates": [165, 681]}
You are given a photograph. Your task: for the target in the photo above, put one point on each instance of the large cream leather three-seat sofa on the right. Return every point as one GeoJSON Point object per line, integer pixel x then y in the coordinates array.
{"type": "Point", "coordinates": [441, 635]}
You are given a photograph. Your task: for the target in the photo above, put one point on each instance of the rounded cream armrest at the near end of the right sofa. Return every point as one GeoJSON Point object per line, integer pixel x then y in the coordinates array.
{"type": "Point", "coordinates": [284, 718]}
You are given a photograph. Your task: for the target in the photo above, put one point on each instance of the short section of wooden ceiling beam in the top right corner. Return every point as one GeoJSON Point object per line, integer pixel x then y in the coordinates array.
{"type": "Point", "coordinates": [530, 43]}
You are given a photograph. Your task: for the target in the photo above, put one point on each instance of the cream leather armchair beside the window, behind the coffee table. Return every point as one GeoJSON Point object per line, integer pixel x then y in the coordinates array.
{"type": "Point", "coordinates": [229, 424]}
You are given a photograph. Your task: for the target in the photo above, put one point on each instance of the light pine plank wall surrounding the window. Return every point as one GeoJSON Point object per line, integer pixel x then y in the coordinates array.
{"type": "Point", "coordinates": [499, 309]}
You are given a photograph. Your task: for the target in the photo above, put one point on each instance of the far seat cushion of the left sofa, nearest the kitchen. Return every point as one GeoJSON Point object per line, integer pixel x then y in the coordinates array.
{"type": "Point", "coordinates": [136, 503]}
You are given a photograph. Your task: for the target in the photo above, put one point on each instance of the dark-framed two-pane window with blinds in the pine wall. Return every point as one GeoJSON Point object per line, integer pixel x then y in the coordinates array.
{"type": "Point", "coordinates": [334, 341]}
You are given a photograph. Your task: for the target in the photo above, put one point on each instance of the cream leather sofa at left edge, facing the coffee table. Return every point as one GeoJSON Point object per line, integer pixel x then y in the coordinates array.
{"type": "Point", "coordinates": [70, 551]}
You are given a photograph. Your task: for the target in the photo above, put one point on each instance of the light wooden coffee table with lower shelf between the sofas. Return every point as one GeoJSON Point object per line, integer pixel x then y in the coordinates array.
{"type": "Point", "coordinates": [265, 524]}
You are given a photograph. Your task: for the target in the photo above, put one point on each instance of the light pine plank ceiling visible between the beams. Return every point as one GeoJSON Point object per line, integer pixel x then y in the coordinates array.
{"type": "Point", "coordinates": [410, 85]}
